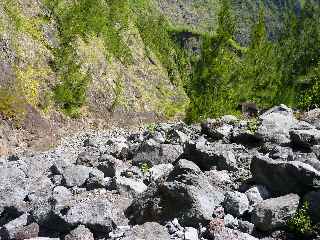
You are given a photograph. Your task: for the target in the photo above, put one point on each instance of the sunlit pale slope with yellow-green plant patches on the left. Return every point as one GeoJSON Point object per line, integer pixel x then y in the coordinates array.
{"type": "Point", "coordinates": [110, 58]}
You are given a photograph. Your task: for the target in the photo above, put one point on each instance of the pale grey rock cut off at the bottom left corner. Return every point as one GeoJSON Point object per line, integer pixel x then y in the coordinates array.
{"type": "Point", "coordinates": [9, 230]}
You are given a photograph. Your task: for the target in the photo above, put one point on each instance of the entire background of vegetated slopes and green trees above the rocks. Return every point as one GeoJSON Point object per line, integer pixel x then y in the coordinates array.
{"type": "Point", "coordinates": [138, 59]}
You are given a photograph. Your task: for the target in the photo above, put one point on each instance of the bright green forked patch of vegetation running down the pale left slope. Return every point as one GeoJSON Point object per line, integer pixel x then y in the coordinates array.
{"type": "Point", "coordinates": [83, 19]}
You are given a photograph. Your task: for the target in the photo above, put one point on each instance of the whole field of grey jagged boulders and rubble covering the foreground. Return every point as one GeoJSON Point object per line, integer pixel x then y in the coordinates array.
{"type": "Point", "coordinates": [226, 179]}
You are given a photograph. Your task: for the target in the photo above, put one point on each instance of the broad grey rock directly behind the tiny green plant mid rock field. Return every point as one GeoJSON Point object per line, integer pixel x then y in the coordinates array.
{"type": "Point", "coordinates": [153, 153]}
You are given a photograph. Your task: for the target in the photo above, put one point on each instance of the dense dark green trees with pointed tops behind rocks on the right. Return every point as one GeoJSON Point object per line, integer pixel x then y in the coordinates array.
{"type": "Point", "coordinates": [266, 72]}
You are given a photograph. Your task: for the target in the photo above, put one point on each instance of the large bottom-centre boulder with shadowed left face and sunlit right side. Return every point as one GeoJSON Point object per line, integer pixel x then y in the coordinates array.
{"type": "Point", "coordinates": [186, 195]}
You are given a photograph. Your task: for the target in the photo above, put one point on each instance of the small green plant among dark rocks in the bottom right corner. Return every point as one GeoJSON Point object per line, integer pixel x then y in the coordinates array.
{"type": "Point", "coordinates": [300, 223]}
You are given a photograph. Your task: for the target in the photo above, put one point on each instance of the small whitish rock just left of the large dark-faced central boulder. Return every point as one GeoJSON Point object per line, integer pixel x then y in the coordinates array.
{"type": "Point", "coordinates": [129, 186]}
